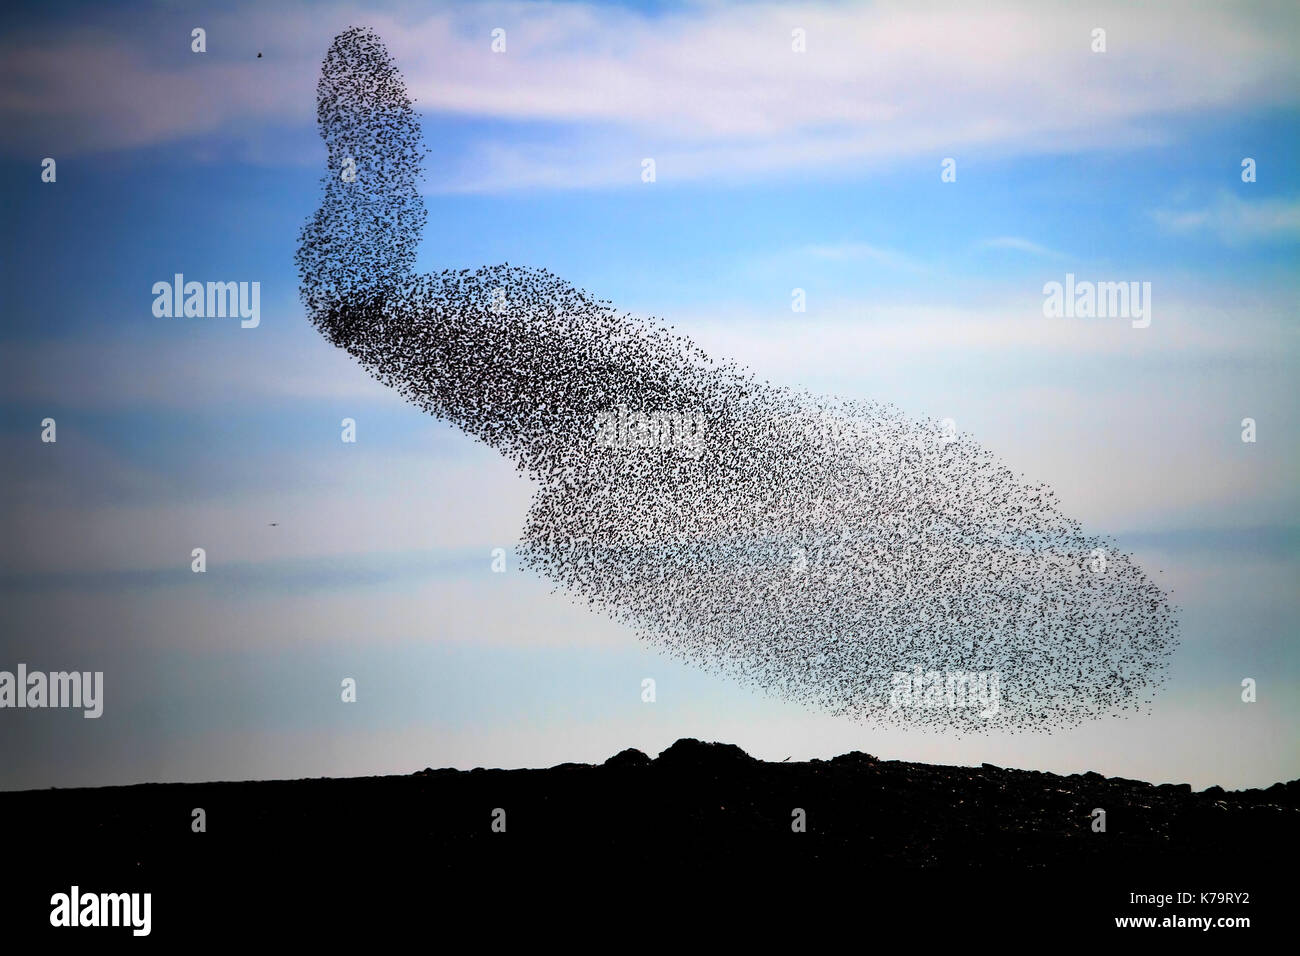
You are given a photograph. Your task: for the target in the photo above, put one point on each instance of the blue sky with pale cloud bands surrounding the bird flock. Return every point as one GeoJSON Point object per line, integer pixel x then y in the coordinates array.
{"type": "Point", "coordinates": [820, 171]}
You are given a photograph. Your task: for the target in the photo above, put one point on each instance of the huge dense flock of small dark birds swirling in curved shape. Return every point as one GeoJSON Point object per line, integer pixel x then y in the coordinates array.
{"type": "Point", "coordinates": [817, 548]}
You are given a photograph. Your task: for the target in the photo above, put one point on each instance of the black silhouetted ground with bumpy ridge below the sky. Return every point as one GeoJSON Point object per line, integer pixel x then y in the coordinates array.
{"type": "Point", "coordinates": [700, 827]}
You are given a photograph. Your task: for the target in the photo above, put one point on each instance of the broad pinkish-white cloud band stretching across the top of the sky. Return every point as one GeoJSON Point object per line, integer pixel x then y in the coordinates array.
{"type": "Point", "coordinates": [708, 90]}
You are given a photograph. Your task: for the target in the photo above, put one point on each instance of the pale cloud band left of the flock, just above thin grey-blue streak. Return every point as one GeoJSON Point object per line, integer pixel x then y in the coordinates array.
{"type": "Point", "coordinates": [413, 501]}
